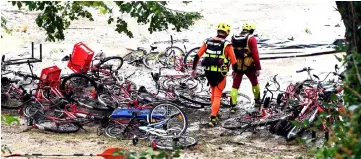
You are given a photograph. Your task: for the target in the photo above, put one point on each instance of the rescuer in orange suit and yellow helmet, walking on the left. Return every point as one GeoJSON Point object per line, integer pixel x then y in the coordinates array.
{"type": "Point", "coordinates": [218, 55]}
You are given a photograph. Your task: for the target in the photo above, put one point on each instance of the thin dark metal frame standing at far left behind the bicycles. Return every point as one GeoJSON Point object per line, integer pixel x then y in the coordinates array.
{"type": "Point", "coordinates": [32, 59]}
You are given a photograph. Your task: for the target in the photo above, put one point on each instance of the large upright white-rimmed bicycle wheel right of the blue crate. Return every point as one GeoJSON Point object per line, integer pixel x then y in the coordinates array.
{"type": "Point", "coordinates": [175, 119]}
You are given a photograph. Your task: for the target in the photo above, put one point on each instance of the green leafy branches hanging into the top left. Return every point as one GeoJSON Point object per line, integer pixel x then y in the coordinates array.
{"type": "Point", "coordinates": [55, 16]}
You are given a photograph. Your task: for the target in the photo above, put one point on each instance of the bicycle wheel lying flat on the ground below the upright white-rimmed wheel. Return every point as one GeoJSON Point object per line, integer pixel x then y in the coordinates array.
{"type": "Point", "coordinates": [174, 143]}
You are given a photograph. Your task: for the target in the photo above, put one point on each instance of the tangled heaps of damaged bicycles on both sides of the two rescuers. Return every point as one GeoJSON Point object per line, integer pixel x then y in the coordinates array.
{"type": "Point", "coordinates": [98, 92]}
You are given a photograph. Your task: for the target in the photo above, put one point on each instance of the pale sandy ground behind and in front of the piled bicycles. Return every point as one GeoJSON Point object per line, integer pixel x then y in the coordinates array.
{"type": "Point", "coordinates": [274, 20]}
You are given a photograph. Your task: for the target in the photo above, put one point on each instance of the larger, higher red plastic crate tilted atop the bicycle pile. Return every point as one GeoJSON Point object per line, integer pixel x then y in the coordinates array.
{"type": "Point", "coordinates": [81, 58]}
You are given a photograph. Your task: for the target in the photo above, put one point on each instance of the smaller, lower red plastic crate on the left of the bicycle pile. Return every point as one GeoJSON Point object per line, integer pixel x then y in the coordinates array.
{"type": "Point", "coordinates": [51, 76]}
